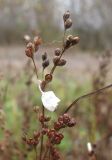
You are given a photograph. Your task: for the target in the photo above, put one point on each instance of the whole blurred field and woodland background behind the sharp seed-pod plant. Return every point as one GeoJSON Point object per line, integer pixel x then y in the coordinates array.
{"type": "Point", "coordinates": [88, 68]}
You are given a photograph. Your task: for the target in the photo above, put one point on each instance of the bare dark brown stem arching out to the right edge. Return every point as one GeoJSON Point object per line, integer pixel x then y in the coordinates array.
{"type": "Point", "coordinates": [86, 95]}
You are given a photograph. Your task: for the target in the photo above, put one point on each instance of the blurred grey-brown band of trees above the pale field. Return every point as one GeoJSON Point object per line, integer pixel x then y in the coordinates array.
{"type": "Point", "coordinates": [91, 20]}
